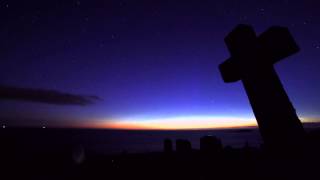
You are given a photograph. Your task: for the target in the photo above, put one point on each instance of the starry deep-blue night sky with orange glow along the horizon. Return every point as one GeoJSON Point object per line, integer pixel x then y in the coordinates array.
{"type": "Point", "coordinates": [144, 64]}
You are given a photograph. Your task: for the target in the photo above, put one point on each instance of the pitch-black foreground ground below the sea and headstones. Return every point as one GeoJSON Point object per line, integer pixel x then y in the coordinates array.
{"type": "Point", "coordinates": [18, 161]}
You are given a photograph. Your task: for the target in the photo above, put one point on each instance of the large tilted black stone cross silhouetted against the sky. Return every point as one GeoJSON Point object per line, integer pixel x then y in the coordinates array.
{"type": "Point", "coordinates": [251, 61]}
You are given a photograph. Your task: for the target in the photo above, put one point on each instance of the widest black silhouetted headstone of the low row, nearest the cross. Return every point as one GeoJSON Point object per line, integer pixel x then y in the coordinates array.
{"type": "Point", "coordinates": [210, 144]}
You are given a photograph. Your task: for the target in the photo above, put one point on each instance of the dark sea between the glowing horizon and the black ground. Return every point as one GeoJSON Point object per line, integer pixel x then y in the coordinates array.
{"type": "Point", "coordinates": [118, 141]}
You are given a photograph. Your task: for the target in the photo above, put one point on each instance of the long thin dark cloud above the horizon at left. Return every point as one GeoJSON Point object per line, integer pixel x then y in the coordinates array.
{"type": "Point", "coordinates": [45, 96]}
